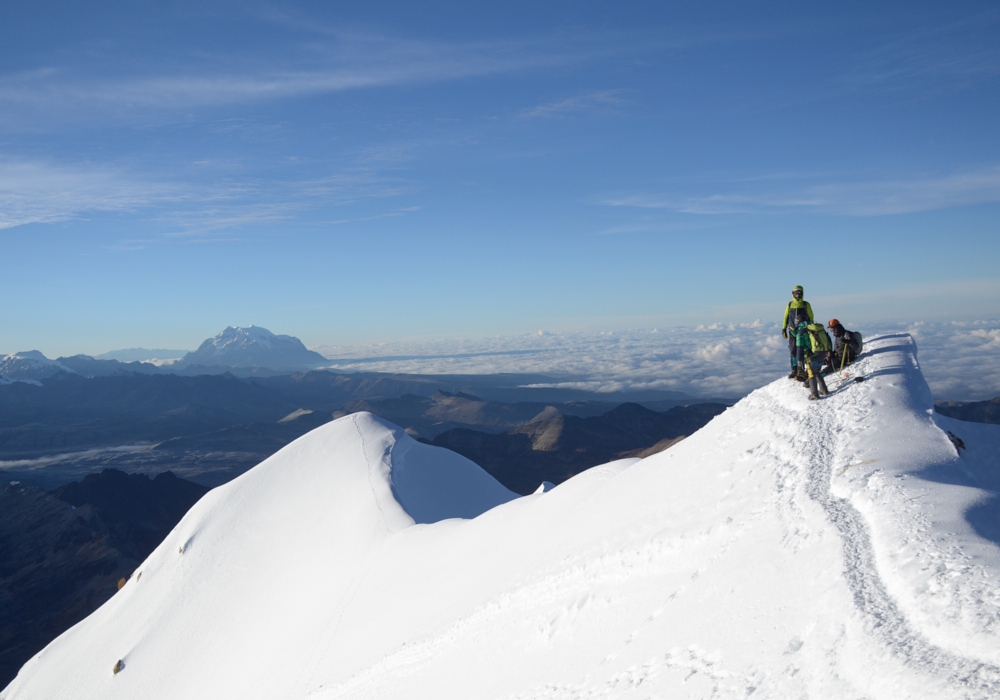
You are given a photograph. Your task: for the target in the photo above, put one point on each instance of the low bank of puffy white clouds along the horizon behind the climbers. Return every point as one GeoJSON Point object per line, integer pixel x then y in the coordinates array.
{"type": "Point", "coordinates": [960, 360]}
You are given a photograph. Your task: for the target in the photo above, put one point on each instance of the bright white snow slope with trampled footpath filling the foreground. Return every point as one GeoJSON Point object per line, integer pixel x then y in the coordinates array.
{"type": "Point", "coordinates": [788, 549]}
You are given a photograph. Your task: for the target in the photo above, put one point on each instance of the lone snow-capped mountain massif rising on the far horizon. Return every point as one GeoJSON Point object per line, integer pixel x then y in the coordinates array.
{"type": "Point", "coordinates": [253, 347]}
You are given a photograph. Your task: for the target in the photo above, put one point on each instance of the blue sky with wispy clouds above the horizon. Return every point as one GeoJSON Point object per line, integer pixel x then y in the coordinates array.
{"type": "Point", "coordinates": [361, 172]}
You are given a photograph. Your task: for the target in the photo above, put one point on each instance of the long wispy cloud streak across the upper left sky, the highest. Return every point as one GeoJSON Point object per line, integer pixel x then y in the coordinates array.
{"type": "Point", "coordinates": [344, 62]}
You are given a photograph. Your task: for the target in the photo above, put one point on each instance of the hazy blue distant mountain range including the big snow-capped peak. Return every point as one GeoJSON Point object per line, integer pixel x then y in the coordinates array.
{"type": "Point", "coordinates": [223, 408]}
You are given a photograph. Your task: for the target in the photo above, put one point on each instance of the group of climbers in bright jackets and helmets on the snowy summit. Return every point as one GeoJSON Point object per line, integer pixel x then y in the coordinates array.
{"type": "Point", "coordinates": [812, 352]}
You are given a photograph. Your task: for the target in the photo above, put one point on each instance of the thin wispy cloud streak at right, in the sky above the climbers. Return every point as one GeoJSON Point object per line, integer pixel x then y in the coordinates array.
{"type": "Point", "coordinates": [862, 198]}
